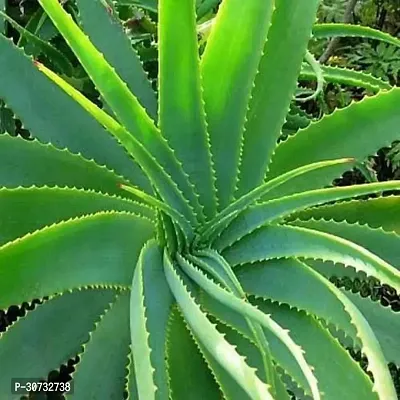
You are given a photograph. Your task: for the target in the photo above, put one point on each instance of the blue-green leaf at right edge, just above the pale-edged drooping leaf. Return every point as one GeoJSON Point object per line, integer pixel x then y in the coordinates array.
{"type": "Point", "coordinates": [383, 244]}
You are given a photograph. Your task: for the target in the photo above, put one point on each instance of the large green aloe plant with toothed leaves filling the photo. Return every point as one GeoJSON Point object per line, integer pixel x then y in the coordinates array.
{"type": "Point", "coordinates": [174, 245]}
